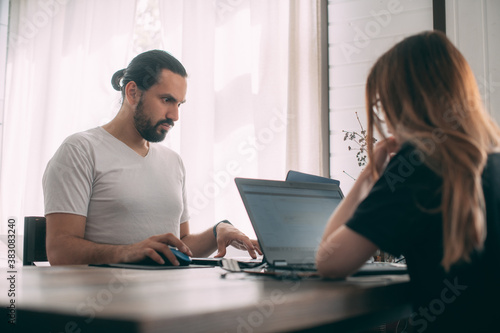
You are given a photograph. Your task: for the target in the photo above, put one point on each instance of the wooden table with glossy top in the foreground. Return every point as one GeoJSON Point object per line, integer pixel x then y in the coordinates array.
{"type": "Point", "coordinates": [96, 299]}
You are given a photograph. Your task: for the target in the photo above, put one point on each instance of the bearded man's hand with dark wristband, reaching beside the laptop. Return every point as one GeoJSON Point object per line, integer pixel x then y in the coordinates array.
{"type": "Point", "coordinates": [227, 235]}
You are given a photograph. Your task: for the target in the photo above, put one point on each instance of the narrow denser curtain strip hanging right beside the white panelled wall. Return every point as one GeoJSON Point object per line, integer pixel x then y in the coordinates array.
{"type": "Point", "coordinates": [306, 140]}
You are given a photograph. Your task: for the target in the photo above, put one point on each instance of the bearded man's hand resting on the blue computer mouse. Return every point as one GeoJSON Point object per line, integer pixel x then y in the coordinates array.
{"type": "Point", "coordinates": [152, 246]}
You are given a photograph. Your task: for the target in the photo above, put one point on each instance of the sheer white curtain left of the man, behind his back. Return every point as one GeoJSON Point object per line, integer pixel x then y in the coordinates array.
{"type": "Point", "coordinates": [61, 57]}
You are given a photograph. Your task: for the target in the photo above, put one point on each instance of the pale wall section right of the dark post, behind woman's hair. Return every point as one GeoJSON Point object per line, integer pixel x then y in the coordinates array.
{"type": "Point", "coordinates": [474, 27]}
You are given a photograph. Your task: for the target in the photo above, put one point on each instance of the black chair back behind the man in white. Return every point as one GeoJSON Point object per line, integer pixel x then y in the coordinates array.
{"type": "Point", "coordinates": [34, 240]}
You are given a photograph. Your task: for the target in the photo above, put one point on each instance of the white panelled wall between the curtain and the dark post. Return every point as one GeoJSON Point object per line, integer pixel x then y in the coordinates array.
{"type": "Point", "coordinates": [359, 32]}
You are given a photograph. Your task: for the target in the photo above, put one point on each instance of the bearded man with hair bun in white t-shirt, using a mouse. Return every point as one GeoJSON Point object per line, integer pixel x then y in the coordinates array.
{"type": "Point", "coordinates": [113, 195]}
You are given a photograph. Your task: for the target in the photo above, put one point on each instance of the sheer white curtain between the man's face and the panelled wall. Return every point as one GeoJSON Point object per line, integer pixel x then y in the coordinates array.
{"type": "Point", "coordinates": [252, 104]}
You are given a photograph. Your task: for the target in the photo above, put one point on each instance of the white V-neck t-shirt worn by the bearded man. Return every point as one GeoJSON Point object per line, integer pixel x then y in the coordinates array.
{"type": "Point", "coordinates": [125, 197]}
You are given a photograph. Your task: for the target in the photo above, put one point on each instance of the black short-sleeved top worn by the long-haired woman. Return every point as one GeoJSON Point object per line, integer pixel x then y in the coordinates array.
{"type": "Point", "coordinates": [401, 216]}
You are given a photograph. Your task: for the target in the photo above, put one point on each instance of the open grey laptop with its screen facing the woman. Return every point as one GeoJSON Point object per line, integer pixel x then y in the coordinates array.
{"type": "Point", "coordinates": [289, 219]}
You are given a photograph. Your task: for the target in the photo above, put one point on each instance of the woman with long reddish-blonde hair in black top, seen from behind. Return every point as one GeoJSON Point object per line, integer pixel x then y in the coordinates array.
{"type": "Point", "coordinates": [431, 191]}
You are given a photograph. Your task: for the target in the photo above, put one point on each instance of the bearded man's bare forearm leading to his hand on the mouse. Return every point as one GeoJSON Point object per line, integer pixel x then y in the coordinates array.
{"type": "Point", "coordinates": [71, 250]}
